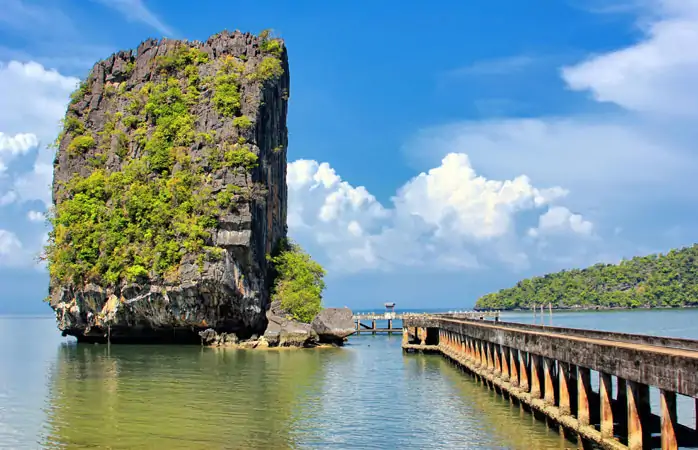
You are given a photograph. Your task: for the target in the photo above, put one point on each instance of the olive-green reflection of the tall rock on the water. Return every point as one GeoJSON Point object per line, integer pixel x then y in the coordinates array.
{"type": "Point", "coordinates": [180, 397]}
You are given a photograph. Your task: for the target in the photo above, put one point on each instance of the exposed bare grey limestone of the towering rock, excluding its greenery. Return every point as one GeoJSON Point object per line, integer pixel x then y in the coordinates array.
{"type": "Point", "coordinates": [229, 294]}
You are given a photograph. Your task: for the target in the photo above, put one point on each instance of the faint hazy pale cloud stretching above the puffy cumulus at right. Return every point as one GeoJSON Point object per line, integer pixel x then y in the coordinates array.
{"type": "Point", "coordinates": [595, 158]}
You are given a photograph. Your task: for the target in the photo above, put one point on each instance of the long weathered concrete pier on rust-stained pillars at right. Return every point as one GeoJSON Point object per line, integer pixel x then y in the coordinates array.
{"type": "Point", "coordinates": [547, 371]}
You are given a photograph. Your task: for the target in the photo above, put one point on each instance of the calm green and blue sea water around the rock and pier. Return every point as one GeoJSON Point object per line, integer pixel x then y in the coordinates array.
{"type": "Point", "coordinates": [56, 394]}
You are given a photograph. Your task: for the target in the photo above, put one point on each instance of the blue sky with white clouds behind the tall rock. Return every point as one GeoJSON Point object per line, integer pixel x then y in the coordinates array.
{"type": "Point", "coordinates": [438, 151]}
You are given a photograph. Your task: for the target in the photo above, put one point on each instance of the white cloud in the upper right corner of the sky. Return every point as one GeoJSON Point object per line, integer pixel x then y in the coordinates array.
{"type": "Point", "coordinates": [656, 75]}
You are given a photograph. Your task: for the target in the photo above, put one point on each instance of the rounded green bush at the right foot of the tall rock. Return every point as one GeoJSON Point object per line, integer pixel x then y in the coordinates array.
{"type": "Point", "coordinates": [298, 284]}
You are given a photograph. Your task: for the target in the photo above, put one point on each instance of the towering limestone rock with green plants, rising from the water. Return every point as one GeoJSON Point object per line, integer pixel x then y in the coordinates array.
{"type": "Point", "coordinates": [170, 190]}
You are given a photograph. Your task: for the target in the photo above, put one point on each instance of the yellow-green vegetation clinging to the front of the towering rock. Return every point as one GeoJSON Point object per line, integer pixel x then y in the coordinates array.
{"type": "Point", "coordinates": [157, 211]}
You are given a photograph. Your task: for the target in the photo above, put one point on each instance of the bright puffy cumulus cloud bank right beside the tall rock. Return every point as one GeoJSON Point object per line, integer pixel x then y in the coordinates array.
{"type": "Point", "coordinates": [446, 218]}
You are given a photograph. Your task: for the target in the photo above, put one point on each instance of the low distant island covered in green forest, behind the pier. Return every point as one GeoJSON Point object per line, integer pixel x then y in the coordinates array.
{"type": "Point", "coordinates": [654, 281]}
